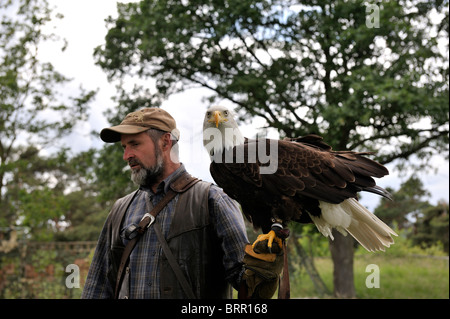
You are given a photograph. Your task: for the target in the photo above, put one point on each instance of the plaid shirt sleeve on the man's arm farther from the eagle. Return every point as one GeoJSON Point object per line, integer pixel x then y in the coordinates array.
{"type": "Point", "coordinates": [97, 285]}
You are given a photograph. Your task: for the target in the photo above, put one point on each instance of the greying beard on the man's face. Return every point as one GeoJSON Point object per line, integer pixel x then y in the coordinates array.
{"type": "Point", "coordinates": [148, 176]}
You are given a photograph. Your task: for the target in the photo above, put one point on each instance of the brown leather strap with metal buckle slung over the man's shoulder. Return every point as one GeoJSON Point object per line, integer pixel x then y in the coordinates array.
{"type": "Point", "coordinates": [181, 184]}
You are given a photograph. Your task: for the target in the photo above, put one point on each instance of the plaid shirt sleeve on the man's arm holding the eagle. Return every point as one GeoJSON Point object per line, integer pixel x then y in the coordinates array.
{"type": "Point", "coordinates": [230, 228]}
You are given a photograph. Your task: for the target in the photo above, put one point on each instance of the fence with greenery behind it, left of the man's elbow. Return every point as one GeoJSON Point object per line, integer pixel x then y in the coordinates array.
{"type": "Point", "coordinates": [40, 269]}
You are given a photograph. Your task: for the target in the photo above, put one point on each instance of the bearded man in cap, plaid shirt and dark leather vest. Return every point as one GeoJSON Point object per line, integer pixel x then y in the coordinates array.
{"type": "Point", "coordinates": [202, 226]}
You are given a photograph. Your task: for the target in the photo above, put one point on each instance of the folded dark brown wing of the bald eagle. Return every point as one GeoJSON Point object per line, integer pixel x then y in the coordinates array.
{"type": "Point", "coordinates": [305, 166]}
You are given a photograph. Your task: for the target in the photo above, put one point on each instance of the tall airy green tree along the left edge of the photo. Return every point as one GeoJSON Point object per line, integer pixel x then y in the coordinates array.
{"type": "Point", "coordinates": [34, 115]}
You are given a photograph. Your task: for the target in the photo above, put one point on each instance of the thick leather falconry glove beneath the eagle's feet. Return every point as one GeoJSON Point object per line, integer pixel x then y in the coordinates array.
{"type": "Point", "coordinates": [262, 270]}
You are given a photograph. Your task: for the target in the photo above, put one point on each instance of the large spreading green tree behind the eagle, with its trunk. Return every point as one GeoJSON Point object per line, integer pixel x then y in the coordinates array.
{"type": "Point", "coordinates": [362, 75]}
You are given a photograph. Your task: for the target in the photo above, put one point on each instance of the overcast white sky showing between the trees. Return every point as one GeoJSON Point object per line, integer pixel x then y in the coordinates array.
{"type": "Point", "coordinates": [84, 28]}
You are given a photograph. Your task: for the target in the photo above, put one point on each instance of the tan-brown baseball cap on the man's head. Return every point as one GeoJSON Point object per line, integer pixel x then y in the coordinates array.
{"type": "Point", "coordinates": [141, 121]}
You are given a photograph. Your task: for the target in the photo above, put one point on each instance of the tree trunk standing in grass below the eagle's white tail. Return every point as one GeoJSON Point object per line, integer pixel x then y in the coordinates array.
{"type": "Point", "coordinates": [342, 254]}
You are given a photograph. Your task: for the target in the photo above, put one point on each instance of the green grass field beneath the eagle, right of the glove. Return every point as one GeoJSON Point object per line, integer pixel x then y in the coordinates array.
{"type": "Point", "coordinates": [398, 277]}
